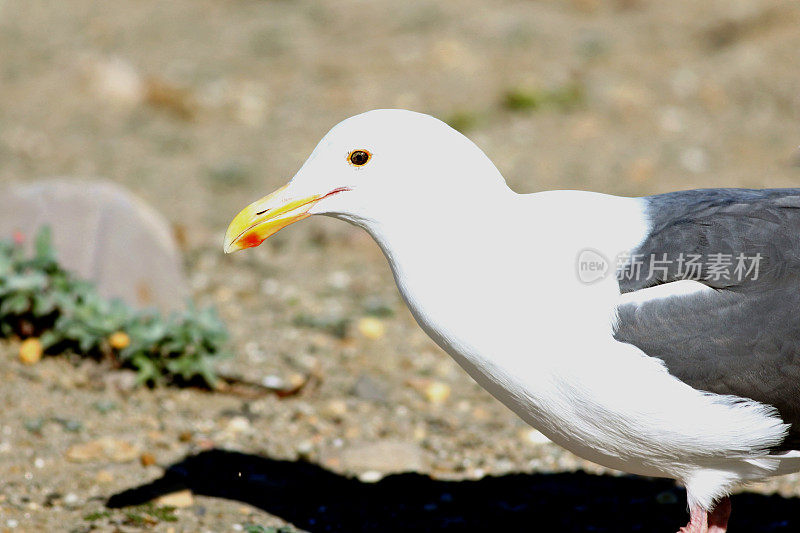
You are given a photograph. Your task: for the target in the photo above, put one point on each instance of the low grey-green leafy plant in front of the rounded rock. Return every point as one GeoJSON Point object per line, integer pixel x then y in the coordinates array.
{"type": "Point", "coordinates": [39, 298]}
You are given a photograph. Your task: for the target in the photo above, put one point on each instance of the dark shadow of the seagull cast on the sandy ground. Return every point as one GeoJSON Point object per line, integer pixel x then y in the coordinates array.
{"type": "Point", "coordinates": [315, 499]}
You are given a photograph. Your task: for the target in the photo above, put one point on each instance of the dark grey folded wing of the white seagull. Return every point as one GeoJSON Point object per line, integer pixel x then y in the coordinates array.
{"type": "Point", "coordinates": [744, 337]}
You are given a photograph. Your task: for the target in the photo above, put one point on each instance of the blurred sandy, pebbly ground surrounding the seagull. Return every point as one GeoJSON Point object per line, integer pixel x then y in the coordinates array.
{"type": "Point", "coordinates": [199, 107]}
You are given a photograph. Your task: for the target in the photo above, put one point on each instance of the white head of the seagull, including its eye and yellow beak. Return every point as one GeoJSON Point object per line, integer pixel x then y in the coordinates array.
{"type": "Point", "coordinates": [383, 167]}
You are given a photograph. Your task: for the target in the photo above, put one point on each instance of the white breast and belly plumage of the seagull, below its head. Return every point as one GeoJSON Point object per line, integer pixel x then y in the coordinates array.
{"type": "Point", "coordinates": [509, 307]}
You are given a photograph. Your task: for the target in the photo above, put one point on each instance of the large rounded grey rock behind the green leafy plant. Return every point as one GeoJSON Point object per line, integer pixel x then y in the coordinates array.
{"type": "Point", "coordinates": [104, 234]}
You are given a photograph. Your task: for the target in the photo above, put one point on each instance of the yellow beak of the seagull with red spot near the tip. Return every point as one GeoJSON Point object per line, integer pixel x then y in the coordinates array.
{"type": "Point", "coordinates": [261, 219]}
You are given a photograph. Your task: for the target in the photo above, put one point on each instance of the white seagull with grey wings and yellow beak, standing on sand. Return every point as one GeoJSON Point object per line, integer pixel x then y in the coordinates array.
{"type": "Point", "coordinates": [658, 335]}
